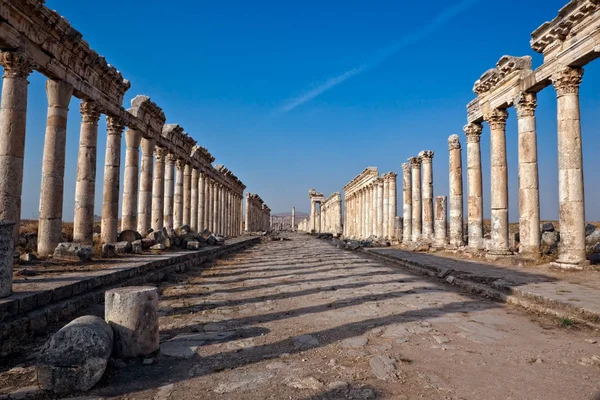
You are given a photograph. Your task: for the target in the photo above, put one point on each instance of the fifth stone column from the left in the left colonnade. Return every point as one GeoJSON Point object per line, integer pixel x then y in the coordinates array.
{"type": "Point", "coordinates": [130, 181]}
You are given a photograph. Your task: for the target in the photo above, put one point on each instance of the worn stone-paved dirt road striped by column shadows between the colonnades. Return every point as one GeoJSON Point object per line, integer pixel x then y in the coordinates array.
{"type": "Point", "coordinates": [300, 319]}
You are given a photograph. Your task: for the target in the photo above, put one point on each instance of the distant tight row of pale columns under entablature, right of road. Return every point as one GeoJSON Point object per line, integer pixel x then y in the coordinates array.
{"type": "Point", "coordinates": [371, 210]}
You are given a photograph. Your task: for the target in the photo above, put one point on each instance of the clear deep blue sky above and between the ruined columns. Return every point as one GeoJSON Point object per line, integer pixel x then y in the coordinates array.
{"type": "Point", "coordinates": [291, 96]}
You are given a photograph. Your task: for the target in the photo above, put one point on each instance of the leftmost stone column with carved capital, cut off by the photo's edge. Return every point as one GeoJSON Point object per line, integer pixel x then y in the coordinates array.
{"type": "Point", "coordinates": [13, 115]}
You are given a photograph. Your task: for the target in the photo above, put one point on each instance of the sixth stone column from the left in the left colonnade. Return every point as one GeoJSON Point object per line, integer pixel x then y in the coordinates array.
{"type": "Point", "coordinates": [145, 196]}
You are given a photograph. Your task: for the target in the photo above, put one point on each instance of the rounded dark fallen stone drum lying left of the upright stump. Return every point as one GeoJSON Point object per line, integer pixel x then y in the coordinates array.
{"type": "Point", "coordinates": [75, 357]}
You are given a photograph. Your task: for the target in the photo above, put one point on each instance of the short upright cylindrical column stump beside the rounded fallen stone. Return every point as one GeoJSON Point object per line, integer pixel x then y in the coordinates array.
{"type": "Point", "coordinates": [132, 312]}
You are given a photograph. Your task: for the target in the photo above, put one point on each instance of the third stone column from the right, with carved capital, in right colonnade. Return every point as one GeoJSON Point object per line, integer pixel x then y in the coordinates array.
{"type": "Point", "coordinates": [499, 182]}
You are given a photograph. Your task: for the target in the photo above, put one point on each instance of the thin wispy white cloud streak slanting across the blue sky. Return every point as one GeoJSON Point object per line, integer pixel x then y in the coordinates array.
{"type": "Point", "coordinates": [383, 54]}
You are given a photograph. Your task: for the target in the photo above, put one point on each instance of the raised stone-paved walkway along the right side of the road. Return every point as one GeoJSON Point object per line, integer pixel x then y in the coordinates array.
{"type": "Point", "coordinates": [558, 290]}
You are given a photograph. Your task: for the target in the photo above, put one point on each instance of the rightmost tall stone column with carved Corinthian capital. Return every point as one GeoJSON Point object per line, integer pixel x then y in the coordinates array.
{"type": "Point", "coordinates": [570, 169]}
